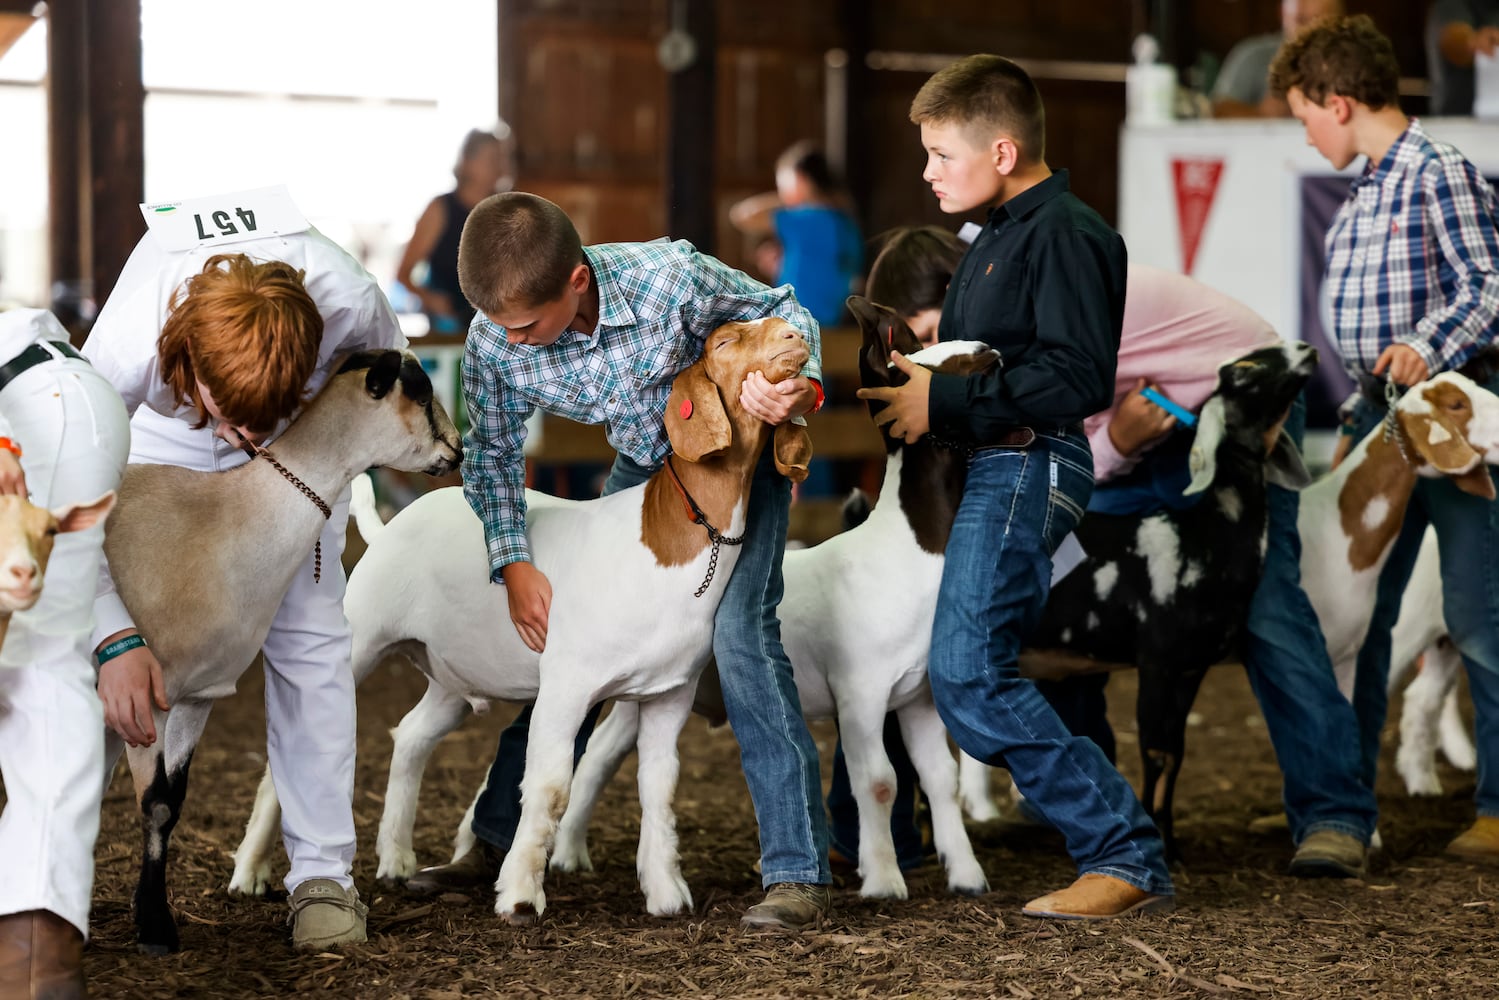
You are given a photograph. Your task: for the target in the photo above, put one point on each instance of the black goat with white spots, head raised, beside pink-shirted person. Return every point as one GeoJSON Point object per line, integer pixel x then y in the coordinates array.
{"type": "Point", "coordinates": [1170, 593]}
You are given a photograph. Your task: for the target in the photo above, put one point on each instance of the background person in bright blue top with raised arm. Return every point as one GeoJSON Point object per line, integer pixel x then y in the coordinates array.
{"type": "Point", "coordinates": [812, 215]}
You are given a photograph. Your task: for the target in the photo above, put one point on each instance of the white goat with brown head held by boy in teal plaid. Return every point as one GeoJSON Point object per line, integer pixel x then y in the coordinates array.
{"type": "Point", "coordinates": [635, 584]}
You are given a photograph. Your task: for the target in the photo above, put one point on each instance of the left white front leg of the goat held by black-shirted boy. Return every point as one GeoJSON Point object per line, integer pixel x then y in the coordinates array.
{"type": "Point", "coordinates": [873, 782]}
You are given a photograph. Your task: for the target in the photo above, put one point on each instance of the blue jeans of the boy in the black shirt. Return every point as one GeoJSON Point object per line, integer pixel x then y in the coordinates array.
{"type": "Point", "coordinates": [1017, 507]}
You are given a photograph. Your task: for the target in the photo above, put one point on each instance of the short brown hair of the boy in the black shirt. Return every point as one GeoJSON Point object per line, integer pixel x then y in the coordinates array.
{"type": "Point", "coordinates": [986, 95]}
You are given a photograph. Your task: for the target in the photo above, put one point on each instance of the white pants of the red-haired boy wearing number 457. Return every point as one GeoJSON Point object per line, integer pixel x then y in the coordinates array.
{"type": "Point", "coordinates": [310, 681]}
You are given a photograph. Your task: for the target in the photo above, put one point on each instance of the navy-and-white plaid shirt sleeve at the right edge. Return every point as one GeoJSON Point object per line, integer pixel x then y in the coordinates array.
{"type": "Point", "coordinates": [1461, 212]}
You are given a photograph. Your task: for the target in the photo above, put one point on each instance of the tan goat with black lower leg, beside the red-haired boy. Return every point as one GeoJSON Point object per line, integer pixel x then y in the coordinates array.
{"type": "Point", "coordinates": [203, 561]}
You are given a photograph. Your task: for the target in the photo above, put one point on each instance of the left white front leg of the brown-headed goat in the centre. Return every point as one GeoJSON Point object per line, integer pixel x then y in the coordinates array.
{"type": "Point", "coordinates": [555, 722]}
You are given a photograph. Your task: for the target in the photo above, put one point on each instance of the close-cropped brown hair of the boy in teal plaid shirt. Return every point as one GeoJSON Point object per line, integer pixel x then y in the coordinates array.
{"type": "Point", "coordinates": [516, 253]}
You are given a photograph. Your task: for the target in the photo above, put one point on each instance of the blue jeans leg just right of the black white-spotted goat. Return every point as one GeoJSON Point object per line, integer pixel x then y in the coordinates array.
{"type": "Point", "coordinates": [1311, 725]}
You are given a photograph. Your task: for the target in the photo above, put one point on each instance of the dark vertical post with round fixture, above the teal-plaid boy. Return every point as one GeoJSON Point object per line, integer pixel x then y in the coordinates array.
{"type": "Point", "coordinates": [692, 98]}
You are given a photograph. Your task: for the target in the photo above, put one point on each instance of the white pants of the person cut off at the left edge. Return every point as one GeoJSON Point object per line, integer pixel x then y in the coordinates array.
{"type": "Point", "coordinates": [74, 433]}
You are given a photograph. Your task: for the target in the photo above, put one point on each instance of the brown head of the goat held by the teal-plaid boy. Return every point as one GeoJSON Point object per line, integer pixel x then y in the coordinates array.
{"type": "Point", "coordinates": [704, 407]}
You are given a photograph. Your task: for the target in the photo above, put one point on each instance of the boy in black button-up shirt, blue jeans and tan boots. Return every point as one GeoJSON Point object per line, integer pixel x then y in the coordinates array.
{"type": "Point", "coordinates": [1044, 284]}
